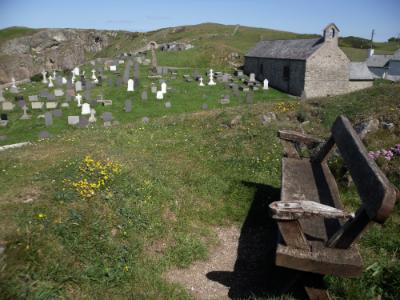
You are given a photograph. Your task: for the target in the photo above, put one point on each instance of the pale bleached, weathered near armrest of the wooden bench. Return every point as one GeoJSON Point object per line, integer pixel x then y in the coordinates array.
{"type": "Point", "coordinates": [293, 210]}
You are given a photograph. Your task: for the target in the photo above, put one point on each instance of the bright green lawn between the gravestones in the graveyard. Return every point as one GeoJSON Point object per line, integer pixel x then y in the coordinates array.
{"type": "Point", "coordinates": [185, 98]}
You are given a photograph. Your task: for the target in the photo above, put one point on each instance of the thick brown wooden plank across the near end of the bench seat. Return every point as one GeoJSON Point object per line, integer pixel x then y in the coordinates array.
{"type": "Point", "coordinates": [321, 260]}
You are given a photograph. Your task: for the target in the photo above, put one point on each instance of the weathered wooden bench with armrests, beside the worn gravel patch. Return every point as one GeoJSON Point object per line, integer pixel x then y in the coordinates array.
{"type": "Point", "coordinates": [317, 235]}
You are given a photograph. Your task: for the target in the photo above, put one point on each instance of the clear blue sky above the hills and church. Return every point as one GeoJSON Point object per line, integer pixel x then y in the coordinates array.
{"type": "Point", "coordinates": [353, 17]}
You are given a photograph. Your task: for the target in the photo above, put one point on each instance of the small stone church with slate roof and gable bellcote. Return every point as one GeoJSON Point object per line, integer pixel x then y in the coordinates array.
{"type": "Point", "coordinates": [307, 67]}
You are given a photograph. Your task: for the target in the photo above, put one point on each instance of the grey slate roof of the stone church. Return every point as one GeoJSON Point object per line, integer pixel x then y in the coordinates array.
{"type": "Point", "coordinates": [286, 49]}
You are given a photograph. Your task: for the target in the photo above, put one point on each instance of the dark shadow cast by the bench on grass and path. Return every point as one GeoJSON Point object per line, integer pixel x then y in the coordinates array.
{"type": "Point", "coordinates": [255, 273]}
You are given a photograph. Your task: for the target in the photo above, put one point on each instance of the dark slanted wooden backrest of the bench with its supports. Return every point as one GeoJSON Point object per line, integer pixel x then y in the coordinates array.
{"type": "Point", "coordinates": [377, 194]}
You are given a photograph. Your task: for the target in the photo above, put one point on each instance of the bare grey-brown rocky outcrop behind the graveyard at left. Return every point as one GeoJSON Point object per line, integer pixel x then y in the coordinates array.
{"type": "Point", "coordinates": [52, 49]}
